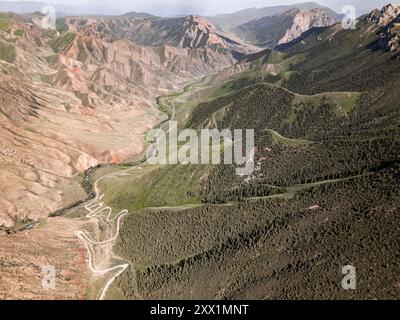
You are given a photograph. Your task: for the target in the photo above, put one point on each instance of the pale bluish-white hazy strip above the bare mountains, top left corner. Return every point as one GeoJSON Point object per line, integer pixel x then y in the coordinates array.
{"type": "Point", "coordinates": [23, 7]}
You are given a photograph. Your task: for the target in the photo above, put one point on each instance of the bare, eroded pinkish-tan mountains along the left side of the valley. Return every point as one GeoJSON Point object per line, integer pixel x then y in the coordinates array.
{"type": "Point", "coordinates": [88, 72]}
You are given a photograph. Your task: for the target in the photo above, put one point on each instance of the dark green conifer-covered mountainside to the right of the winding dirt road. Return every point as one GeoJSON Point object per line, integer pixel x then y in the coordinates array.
{"type": "Point", "coordinates": [325, 192]}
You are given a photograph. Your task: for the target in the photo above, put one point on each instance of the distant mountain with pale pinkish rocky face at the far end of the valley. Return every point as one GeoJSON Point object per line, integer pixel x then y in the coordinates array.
{"type": "Point", "coordinates": [282, 28]}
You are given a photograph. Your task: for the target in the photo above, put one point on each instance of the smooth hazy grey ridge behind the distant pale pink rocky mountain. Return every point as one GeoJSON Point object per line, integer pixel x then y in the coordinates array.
{"type": "Point", "coordinates": [230, 21]}
